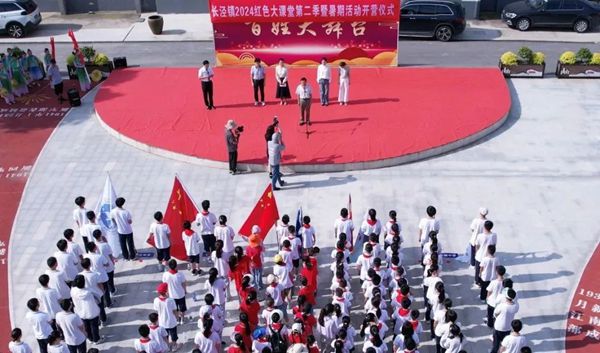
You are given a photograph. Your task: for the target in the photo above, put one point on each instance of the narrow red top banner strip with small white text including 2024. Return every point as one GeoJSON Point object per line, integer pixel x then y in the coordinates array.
{"type": "Point", "coordinates": [235, 11]}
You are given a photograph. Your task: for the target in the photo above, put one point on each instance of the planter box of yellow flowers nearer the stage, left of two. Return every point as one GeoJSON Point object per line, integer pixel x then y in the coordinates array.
{"type": "Point", "coordinates": [525, 63]}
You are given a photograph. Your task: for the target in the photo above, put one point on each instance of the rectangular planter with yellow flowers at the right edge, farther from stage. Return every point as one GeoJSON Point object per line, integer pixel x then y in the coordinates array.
{"type": "Point", "coordinates": [583, 64]}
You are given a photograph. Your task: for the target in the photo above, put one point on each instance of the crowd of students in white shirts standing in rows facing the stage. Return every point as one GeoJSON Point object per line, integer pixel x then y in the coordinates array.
{"type": "Point", "coordinates": [286, 307]}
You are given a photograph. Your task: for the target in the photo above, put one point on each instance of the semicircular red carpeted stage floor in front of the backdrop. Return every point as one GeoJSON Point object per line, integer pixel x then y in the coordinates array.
{"type": "Point", "coordinates": [395, 115]}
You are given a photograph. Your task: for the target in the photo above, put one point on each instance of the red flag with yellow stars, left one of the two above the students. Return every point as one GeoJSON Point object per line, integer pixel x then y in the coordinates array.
{"type": "Point", "coordinates": [180, 208]}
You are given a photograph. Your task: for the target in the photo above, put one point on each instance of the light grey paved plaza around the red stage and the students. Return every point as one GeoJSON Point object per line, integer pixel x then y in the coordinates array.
{"type": "Point", "coordinates": [538, 175]}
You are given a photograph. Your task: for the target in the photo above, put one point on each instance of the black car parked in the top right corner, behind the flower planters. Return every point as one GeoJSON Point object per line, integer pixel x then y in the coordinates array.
{"type": "Point", "coordinates": [581, 15]}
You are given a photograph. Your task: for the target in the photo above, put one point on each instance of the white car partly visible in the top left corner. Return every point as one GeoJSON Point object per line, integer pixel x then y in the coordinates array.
{"type": "Point", "coordinates": [19, 17]}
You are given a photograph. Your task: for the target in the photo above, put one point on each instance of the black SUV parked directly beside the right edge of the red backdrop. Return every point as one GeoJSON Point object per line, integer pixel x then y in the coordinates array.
{"type": "Point", "coordinates": [441, 19]}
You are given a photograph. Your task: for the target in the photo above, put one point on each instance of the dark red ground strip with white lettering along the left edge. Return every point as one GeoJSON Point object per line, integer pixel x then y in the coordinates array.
{"type": "Point", "coordinates": [24, 129]}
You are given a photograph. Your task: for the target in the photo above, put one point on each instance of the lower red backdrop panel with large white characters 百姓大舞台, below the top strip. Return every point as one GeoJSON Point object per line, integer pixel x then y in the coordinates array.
{"type": "Point", "coordinates": [357, 43]}
